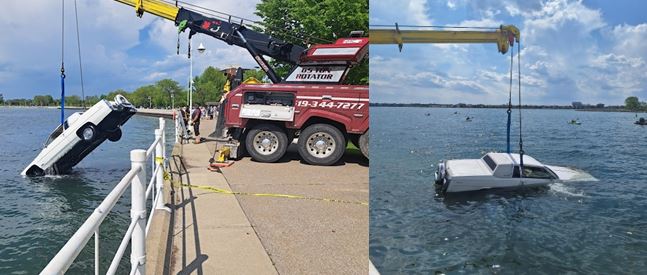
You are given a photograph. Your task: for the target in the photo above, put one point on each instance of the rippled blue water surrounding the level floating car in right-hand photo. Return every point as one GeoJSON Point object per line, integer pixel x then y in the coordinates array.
{"type": "Point", "coordinates": [581, 227]}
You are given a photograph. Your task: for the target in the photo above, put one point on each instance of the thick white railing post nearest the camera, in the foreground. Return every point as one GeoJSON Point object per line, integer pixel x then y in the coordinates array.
{"type": "Point", "coordinates": [138, 211]}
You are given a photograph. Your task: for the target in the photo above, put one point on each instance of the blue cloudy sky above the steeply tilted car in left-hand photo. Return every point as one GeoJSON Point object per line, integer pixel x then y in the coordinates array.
{"type": "Point", "coordinates": [119, 50]}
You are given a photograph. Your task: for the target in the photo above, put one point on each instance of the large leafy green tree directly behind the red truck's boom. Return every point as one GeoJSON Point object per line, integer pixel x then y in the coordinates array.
{"type": "Point", "coordinates": [304, 22]}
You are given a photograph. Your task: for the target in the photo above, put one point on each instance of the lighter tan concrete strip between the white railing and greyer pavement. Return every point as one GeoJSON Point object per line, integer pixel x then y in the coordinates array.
{"type": "Point", "coordinates": [212, 234]}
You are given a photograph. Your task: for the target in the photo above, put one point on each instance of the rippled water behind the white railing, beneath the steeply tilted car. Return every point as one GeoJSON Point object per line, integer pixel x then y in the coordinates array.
{"type": "Point", "coordinates": [38, 215]}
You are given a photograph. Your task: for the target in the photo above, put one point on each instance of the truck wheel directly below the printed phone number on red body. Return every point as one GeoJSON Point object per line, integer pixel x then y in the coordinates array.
{"type": "Point", "coordinates": [321, 144]}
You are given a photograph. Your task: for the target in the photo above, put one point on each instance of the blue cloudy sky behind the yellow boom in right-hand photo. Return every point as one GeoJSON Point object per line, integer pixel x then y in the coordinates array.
{"type": "Point", "coordinates": [589, 51]}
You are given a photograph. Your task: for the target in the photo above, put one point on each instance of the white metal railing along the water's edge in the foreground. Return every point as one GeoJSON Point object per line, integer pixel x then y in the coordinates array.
{"type": "Point", "coordinates": [139, 224]}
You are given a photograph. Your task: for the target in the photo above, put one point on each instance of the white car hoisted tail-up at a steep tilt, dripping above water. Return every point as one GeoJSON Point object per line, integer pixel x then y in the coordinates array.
{"type": "Point", "coordinates": [79, 135]}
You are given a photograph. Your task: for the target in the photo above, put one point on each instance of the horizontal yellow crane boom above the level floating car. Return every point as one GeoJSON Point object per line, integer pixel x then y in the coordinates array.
{"type": "Point", "coordinates": [503, 37]}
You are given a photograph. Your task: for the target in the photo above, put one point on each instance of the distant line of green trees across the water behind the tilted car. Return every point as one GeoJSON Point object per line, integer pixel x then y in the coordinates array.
{"type": "Point", "coordinates": [207, 87]}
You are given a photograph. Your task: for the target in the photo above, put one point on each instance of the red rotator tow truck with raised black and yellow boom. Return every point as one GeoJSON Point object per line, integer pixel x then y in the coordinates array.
{"type": "Point", "coordinates": [311, 104]}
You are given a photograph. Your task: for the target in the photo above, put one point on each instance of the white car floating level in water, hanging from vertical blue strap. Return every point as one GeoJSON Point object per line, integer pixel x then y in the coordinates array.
{"type": "Point", "coordinates": [499, 170]}
